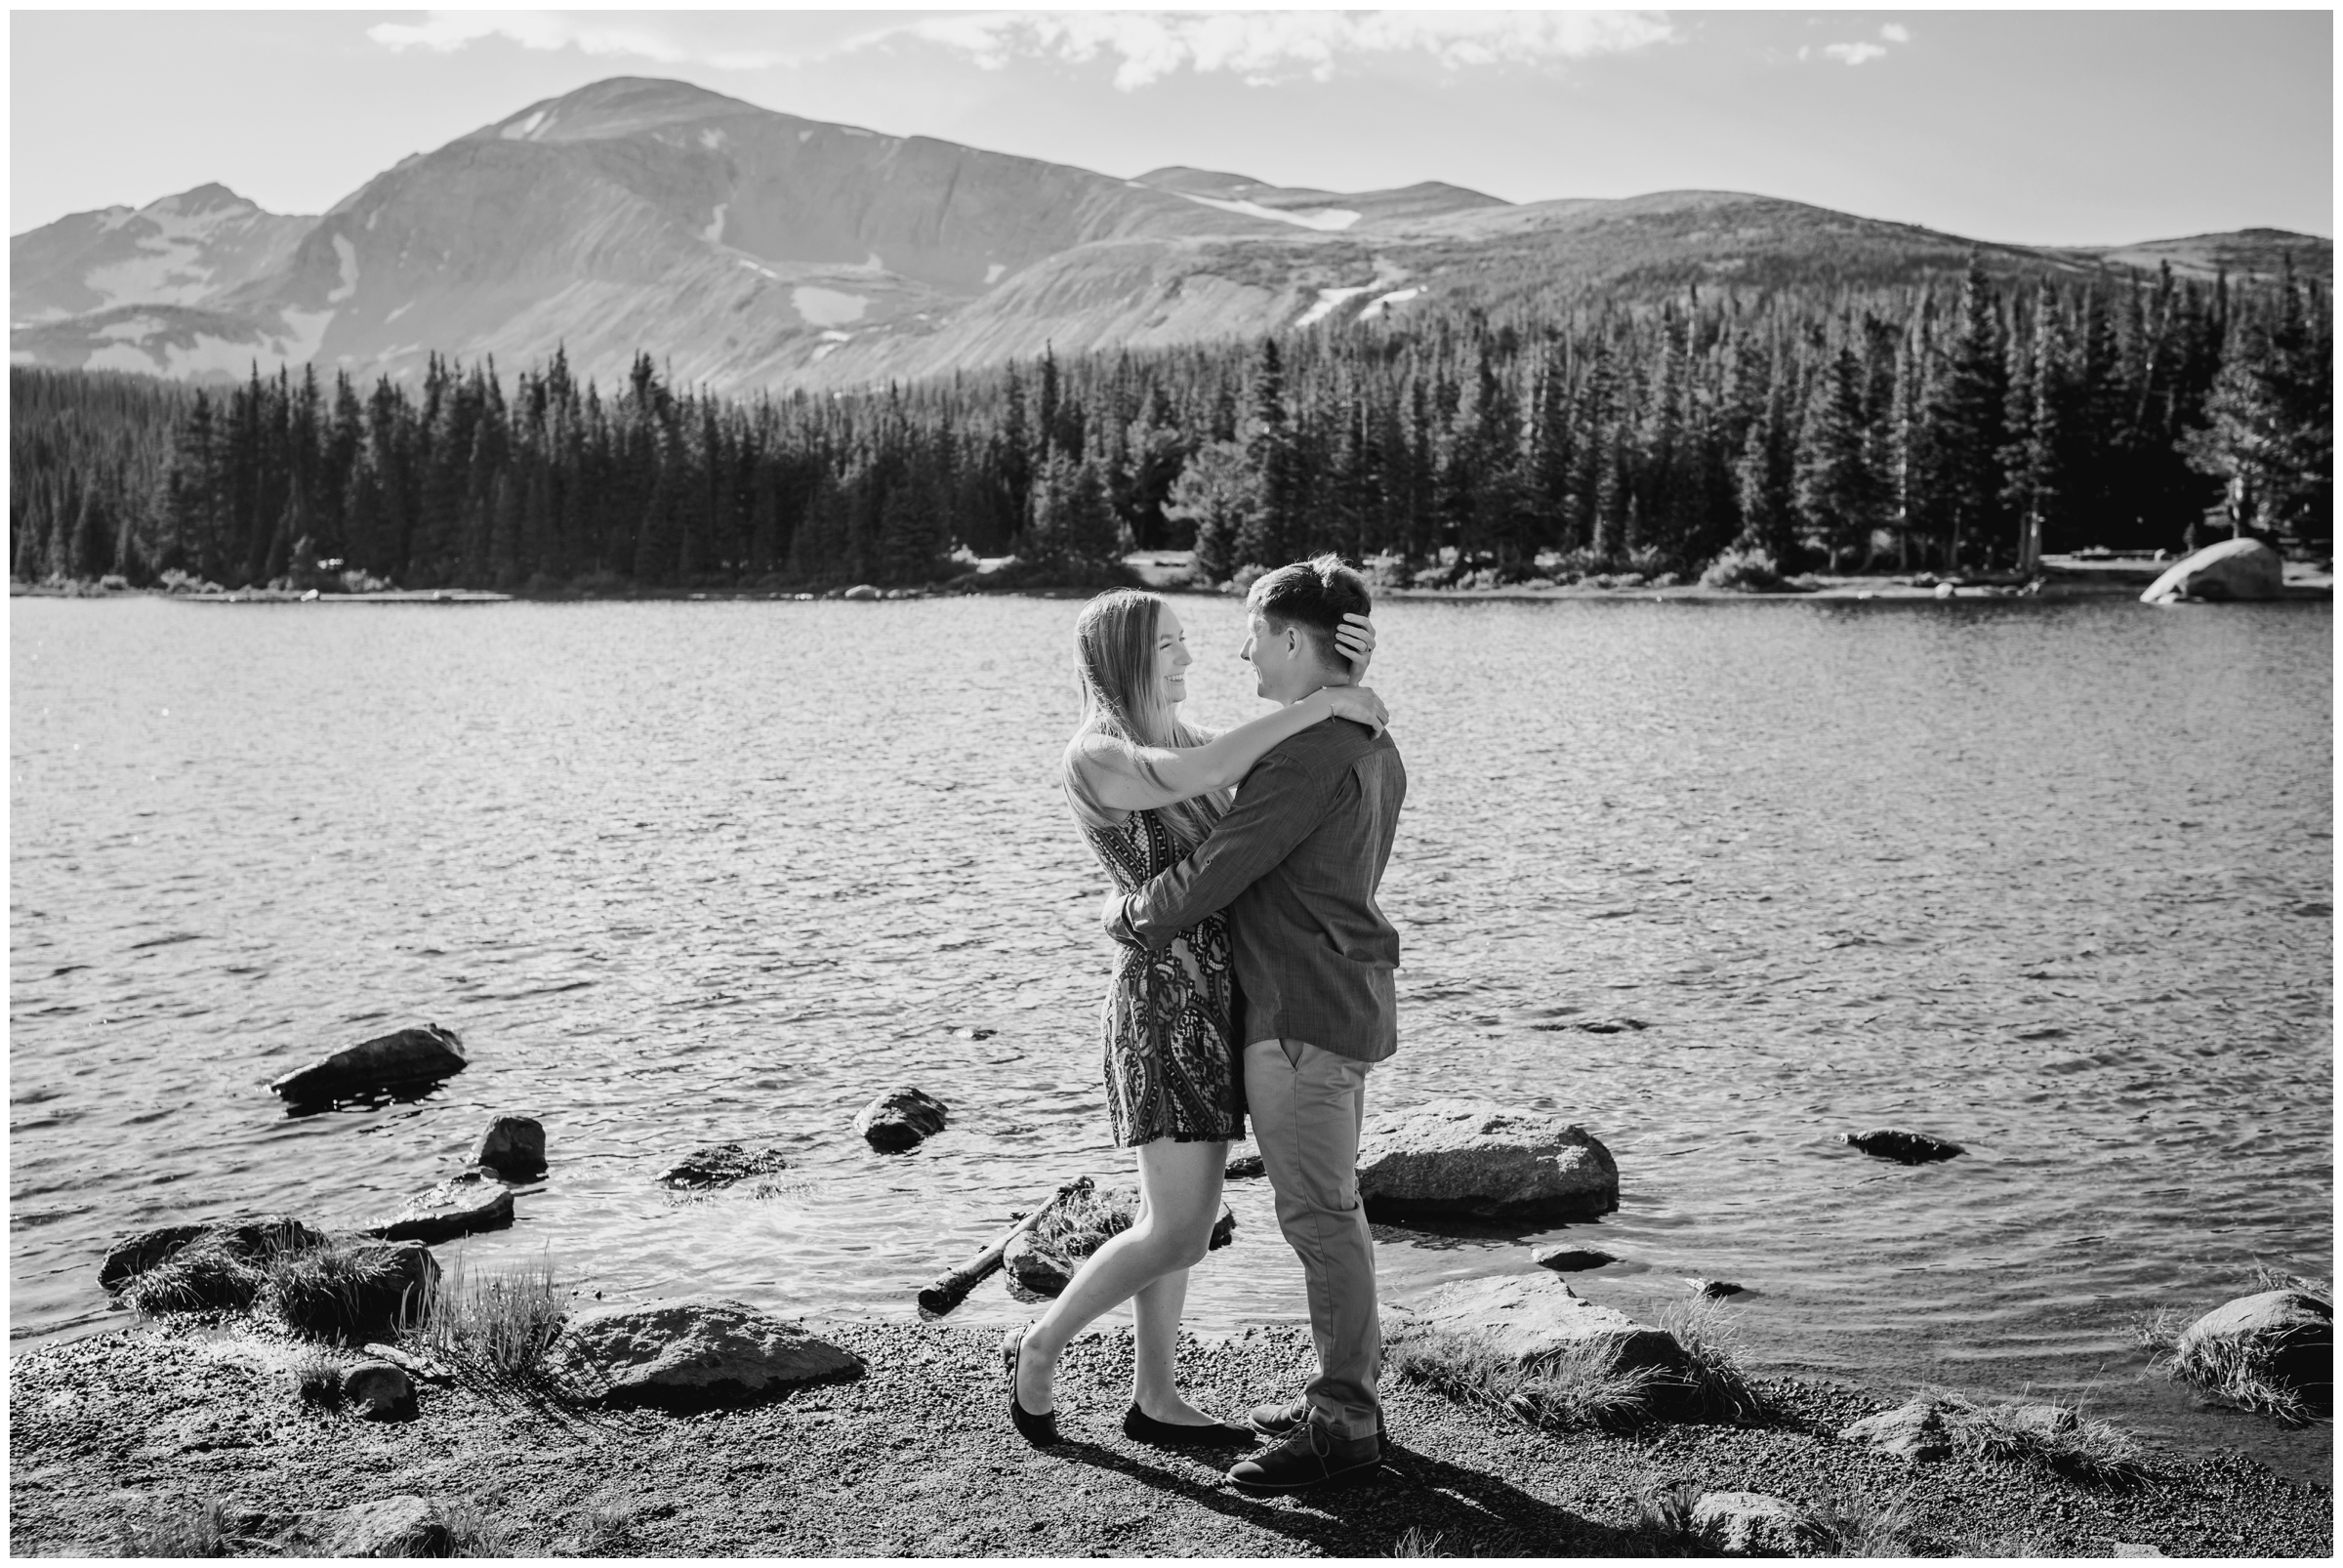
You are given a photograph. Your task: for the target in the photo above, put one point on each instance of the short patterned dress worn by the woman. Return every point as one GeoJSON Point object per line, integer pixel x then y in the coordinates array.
{"type": "Point", "coordinates": [1170, 1070]}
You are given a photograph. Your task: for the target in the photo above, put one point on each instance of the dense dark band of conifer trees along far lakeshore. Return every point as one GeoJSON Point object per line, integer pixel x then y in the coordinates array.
{"type": "Point", "coordinates": [1951, 428]}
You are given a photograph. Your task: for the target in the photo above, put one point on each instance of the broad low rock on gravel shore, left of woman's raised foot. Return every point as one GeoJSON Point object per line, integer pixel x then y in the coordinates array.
{"type": "Point", "coordinates": [690, 1351]}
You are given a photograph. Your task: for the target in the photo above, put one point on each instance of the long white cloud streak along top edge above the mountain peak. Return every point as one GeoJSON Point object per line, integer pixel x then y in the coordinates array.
{"type": "Point", "coordinates": [1142, 46]}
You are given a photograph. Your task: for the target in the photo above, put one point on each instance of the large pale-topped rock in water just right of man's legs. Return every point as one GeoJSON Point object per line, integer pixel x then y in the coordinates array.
{"type": "Point", "coordinates": [1468, 1157]}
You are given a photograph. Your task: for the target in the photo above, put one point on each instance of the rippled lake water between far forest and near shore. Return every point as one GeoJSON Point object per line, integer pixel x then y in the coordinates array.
{"type": "Point", "coordinates": [2049, 880]}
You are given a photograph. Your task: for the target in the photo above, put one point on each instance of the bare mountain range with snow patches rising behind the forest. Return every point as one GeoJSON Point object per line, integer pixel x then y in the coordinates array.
{"type": "Point", "coordinates": [756, 250]}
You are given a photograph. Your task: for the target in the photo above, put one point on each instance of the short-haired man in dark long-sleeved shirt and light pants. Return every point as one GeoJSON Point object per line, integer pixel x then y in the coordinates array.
{"type": "Point", "coordinates": [1297, 864]}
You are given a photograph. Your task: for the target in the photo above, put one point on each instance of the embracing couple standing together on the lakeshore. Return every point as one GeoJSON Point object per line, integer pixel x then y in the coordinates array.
{"type": "Point", "coordinates": [1255, 979]}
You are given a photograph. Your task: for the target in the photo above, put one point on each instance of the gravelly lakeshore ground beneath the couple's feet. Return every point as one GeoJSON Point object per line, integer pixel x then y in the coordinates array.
{"type": "Point", "coordinates": [915, 1459]}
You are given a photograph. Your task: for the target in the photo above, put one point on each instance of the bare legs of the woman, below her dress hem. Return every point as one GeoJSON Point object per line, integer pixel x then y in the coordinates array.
{"type": "Point", "coordinates": [1180, 1201]}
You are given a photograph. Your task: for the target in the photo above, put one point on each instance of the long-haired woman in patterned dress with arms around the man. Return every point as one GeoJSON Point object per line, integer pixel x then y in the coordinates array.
{"type": "Point", "coordinates": [1147, 789]}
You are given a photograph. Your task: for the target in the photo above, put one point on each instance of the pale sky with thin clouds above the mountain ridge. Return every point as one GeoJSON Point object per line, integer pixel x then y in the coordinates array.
{"type": "Point", "coordinates": [2028, 128]}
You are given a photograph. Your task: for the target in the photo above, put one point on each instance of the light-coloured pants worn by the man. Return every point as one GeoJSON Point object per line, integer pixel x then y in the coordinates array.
{"type": "Point", "coordinates": [1306, 1107]}
